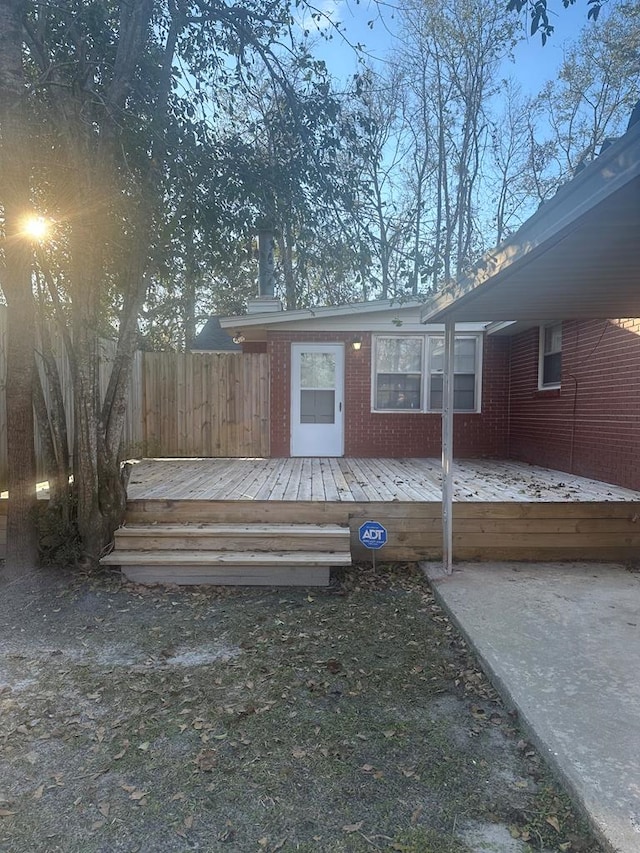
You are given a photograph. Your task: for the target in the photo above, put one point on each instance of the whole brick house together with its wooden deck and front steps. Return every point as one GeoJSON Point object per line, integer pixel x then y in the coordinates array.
{"type": "Point", "coordinates": [534, 356]}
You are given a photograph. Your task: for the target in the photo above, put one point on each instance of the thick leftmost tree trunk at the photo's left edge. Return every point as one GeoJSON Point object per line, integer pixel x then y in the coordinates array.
{"type": "Point", "coordinates": [22, 546]}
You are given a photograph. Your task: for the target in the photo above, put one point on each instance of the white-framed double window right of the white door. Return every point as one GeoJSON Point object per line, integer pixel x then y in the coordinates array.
{"type": "Point", "coordinates": [408, 373]}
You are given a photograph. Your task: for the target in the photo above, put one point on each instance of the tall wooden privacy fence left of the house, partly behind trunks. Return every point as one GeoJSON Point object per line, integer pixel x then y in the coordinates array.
{"type": "Point", "coordinates": [180, 404]}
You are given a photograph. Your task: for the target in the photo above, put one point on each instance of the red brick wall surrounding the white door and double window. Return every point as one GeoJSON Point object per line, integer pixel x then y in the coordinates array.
{"type": "Point", "coordinates": [391, 434]}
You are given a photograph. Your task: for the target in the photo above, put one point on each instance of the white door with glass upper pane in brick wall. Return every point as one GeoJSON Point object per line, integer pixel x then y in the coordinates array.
{"type": "Point", "coordinates": [317, 389]}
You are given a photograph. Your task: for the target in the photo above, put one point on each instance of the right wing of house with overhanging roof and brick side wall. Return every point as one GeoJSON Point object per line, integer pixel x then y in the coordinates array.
{"type": "Point", "coordinates": [565, 291]}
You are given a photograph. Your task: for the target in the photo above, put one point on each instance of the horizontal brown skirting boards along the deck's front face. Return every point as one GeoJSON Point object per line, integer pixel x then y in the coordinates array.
{"type": "Point", "coordinates": [592, 530]}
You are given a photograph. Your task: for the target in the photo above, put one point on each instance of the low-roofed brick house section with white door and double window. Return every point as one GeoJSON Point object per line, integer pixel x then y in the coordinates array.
{"type": "Point", "coordinates": [366, 380]}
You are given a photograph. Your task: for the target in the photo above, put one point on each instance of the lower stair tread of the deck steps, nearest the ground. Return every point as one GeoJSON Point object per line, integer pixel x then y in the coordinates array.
{"type": "Point", "coordinates": [265, 558]}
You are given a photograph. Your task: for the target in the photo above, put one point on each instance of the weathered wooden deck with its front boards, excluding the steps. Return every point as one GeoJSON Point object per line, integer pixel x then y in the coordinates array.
{"type": "Point", "coordinates": [502, 510]}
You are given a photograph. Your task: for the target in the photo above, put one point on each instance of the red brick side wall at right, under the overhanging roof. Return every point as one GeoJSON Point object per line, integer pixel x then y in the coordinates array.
{"type": "Point", "coordinates": [591, 426]}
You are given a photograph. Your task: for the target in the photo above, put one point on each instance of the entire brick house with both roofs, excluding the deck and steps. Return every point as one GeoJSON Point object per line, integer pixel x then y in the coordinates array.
{"type": "Point", "coordinates": [547, 348]}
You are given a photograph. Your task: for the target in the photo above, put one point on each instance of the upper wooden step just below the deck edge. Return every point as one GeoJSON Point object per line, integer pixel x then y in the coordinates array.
{"type": "Point", "coordinates": [233, 537]}
